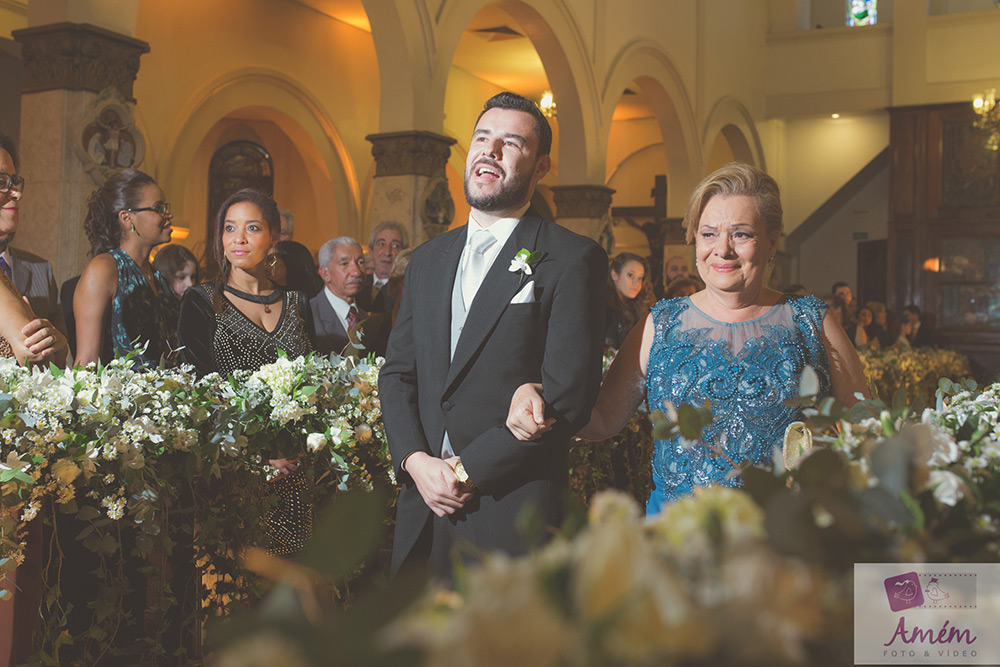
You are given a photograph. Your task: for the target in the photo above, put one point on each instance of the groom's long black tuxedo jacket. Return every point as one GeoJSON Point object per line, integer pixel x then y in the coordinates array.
{"type": "Point", "coordinates": [556, 340]}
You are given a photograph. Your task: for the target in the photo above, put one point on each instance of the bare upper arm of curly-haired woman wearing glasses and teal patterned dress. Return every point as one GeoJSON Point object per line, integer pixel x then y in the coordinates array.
{"type": "Point", "coordinates": [91, 302]}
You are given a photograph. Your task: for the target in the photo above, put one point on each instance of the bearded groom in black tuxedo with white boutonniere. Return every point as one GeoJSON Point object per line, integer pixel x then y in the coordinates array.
{"type": "Point", "coordinates": [470, 330]}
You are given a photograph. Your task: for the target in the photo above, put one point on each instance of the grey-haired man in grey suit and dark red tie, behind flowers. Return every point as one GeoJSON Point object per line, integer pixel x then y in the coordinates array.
{"type": "Point", "coordinates": [336, 314]}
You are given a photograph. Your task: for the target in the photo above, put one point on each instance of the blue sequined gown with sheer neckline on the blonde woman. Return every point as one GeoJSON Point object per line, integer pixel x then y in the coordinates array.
{"type": "Point", "coordinates": [747, 370]}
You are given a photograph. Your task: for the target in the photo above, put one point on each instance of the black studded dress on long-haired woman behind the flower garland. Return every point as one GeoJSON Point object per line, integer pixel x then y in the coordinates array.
{"type": "Point", "coordinates": [216, 337]}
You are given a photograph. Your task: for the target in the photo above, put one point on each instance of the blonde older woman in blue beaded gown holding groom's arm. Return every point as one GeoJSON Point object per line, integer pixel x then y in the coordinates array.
{"type": "Point", "coordinates": [736, 343]}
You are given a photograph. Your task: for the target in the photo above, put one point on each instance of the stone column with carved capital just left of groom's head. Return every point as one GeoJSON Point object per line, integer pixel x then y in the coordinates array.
{"type": "Point", "coordinates": [410, 185]}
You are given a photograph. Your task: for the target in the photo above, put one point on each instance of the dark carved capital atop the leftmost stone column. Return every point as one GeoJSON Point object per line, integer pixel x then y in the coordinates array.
{"type": "Point", "coordinates": [79, 56]}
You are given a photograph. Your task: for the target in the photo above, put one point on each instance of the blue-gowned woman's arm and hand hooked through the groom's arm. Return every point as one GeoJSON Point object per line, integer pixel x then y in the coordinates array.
{"type": "Point", "coordinates": [621, 394]}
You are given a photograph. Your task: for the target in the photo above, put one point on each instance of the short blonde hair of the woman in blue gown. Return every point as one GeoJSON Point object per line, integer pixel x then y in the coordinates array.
{"type": "Point", "coordinates": [737, 178]}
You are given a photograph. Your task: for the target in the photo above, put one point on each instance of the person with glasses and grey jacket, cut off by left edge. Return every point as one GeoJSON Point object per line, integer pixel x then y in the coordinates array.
{"type": "Point", "coordinates": [31, 274]}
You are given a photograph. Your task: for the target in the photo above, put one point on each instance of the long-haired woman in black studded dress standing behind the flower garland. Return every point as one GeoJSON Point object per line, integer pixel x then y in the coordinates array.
{"type": "Point", "coordinates": [240, 321]}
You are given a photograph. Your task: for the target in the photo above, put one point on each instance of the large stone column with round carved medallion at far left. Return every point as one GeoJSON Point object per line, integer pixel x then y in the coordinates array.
{"type": "Point", "coordinates": [74, 73]}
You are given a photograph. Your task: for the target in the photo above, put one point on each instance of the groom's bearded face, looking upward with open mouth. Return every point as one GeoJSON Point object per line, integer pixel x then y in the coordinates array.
{"type": "Point", "coordinates": [503, 163]}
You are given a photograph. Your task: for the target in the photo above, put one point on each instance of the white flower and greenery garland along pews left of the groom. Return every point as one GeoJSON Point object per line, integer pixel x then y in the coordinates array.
{"type": "Point", "coordinates": [100, 431]}
